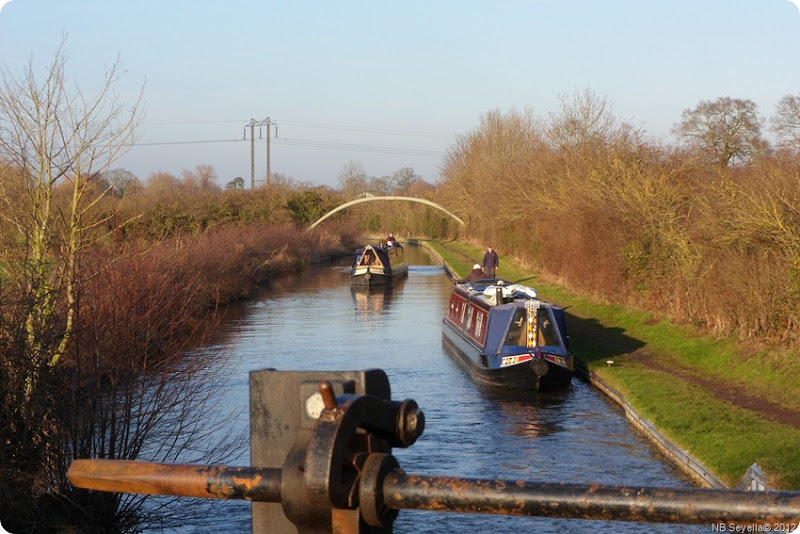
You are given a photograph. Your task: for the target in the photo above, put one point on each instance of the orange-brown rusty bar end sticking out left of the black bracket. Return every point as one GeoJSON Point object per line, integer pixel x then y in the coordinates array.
{"type": "Point", "coordinates": [209, 482]}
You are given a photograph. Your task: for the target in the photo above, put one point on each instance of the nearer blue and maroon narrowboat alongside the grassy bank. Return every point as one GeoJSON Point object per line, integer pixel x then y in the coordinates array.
{"type": "Point", "coordinates": [506, 337]}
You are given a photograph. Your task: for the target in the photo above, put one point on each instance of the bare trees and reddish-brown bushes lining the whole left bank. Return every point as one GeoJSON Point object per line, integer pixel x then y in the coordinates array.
{"type": "Point", "coordinates": [106, 284]}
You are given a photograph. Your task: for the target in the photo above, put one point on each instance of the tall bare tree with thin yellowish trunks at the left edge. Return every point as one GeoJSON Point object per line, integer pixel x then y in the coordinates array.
{"type": "Point", "coordinates": [53, 134]}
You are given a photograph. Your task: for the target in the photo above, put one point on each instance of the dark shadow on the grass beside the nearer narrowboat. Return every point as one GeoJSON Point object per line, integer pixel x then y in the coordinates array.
{"type": "Point", "coordinates": [594, 343]}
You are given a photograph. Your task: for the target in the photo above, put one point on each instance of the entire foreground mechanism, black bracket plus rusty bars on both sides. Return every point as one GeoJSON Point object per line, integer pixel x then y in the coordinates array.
{"type": "Point", "coordinates": [321, 446]}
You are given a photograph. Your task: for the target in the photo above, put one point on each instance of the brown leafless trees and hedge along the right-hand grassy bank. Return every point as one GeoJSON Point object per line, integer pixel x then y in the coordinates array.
{"type": "Point", "coordinates": [705, 231]}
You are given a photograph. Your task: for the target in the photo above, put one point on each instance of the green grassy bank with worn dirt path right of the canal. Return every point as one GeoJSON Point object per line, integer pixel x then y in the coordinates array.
{"type": "Point", "coordinates": [728, 405]}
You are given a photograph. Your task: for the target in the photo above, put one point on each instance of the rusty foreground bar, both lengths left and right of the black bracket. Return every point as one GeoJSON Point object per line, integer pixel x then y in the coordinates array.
{"type": "Point", "coordinates": [450, 494]}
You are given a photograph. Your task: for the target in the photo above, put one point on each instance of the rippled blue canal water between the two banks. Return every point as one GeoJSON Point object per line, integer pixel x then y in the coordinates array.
{"type": "Point", "coordinates": [315, 321]}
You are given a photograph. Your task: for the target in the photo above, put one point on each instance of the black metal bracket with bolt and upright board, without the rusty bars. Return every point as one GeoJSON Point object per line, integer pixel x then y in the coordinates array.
{"type": "Point", "coordinates": [344, 418]}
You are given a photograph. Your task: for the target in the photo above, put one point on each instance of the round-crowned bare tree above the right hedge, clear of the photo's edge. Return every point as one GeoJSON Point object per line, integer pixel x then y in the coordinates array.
{"type": "Point", "coordinates": [725, 131]}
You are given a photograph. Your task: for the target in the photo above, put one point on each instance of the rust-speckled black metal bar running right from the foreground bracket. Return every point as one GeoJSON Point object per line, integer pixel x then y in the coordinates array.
{"type": "Point", "coordinates": [618, 503]}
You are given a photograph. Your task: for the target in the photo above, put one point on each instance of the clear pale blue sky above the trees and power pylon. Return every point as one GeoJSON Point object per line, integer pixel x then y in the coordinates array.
{"type": "Point", "coordinates": [390, 84]}
